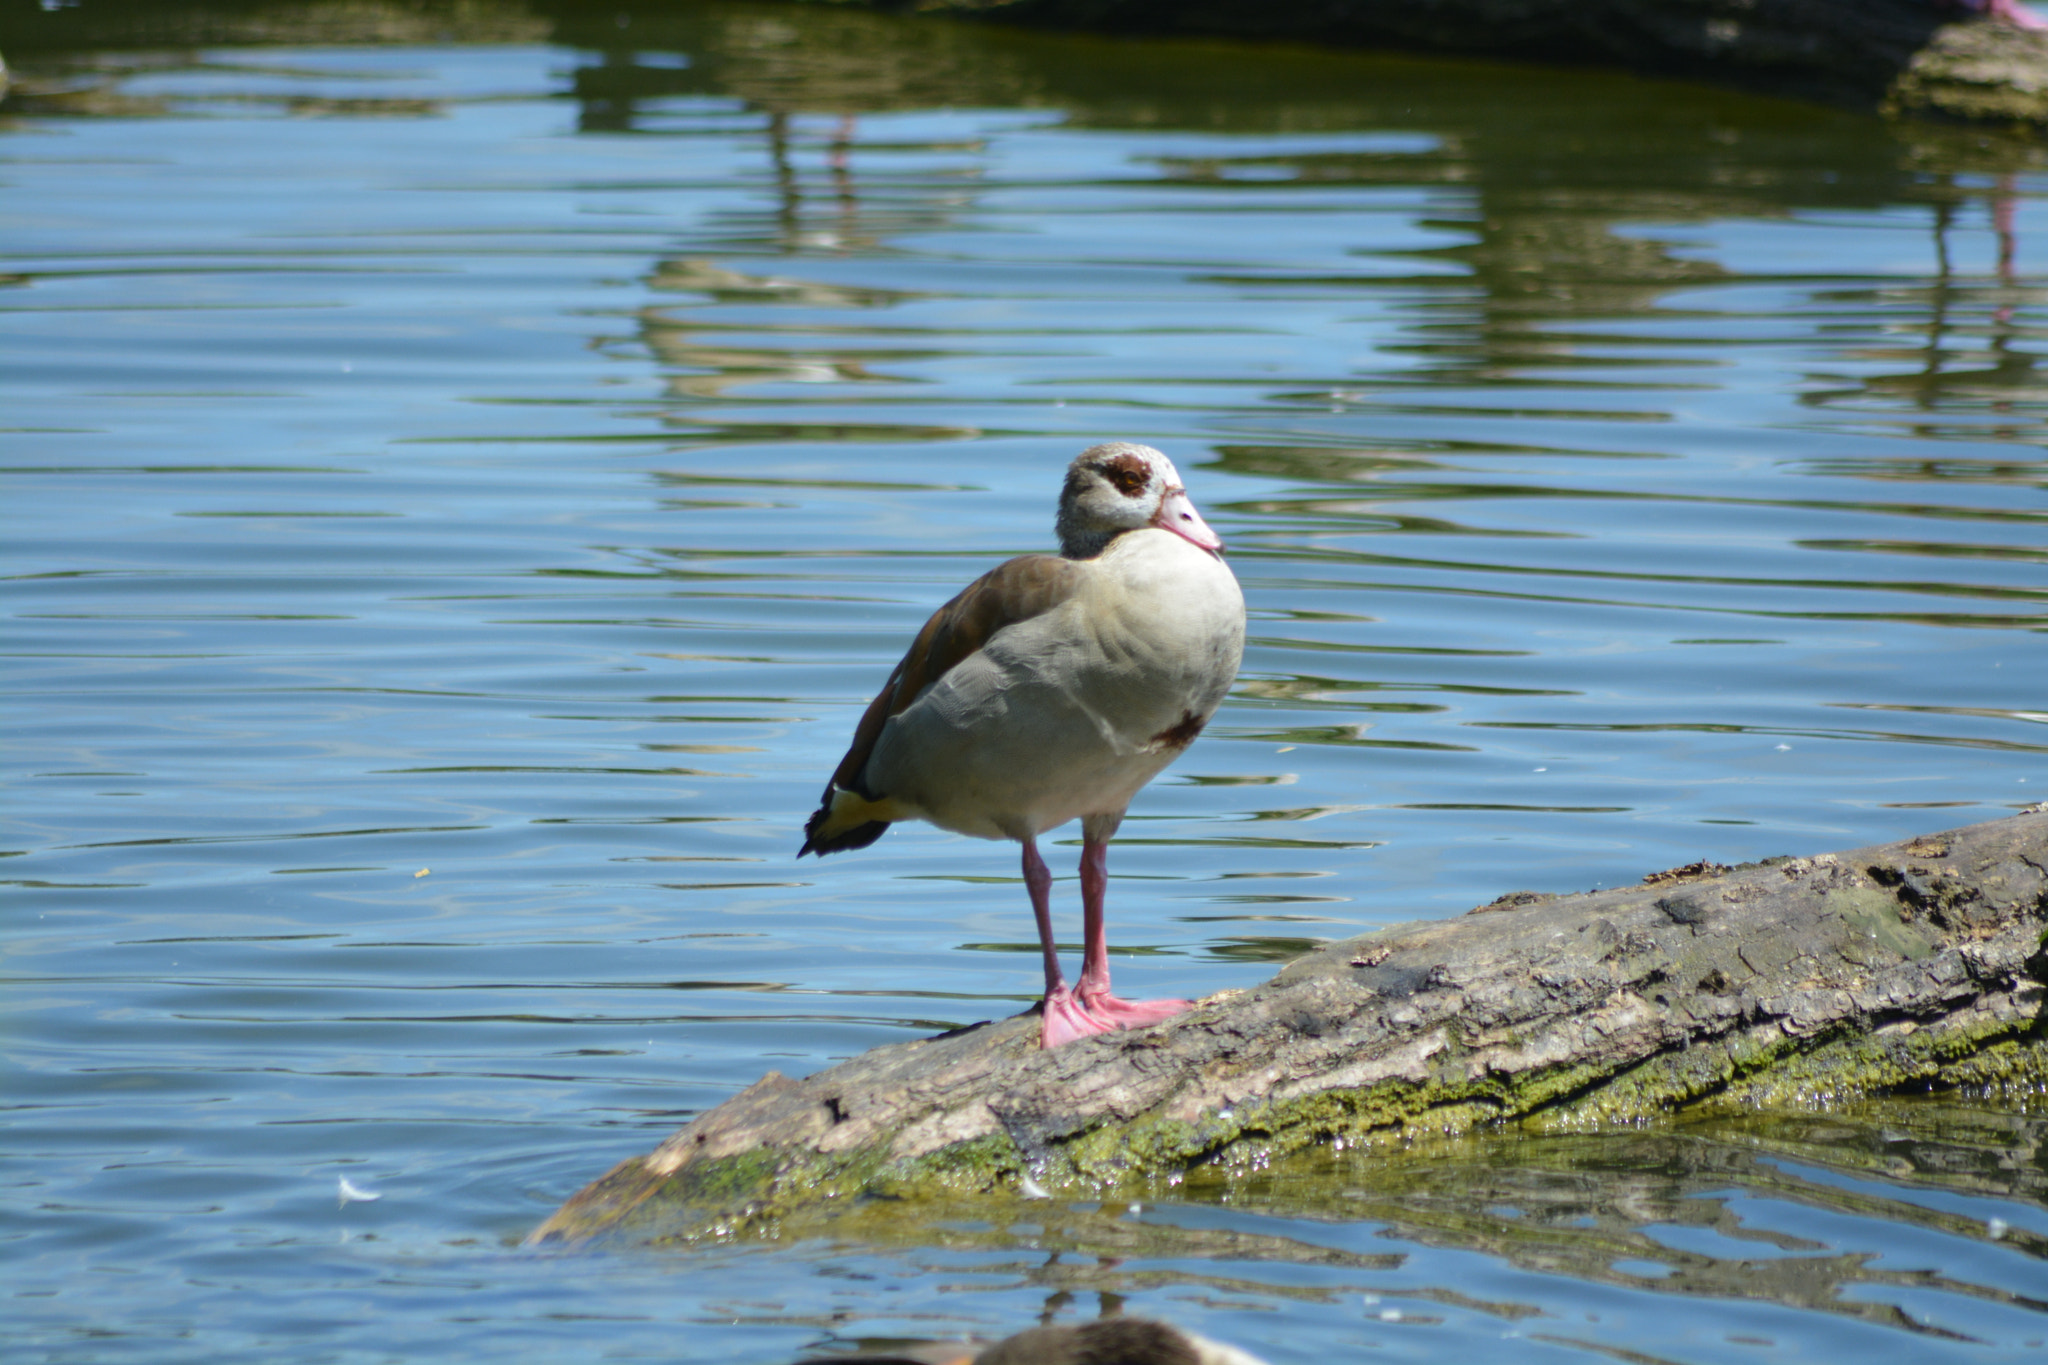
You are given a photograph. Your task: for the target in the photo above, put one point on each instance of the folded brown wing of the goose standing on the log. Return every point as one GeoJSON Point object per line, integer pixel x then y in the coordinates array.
{"type": "Point", "coordinates": [1019, 590]}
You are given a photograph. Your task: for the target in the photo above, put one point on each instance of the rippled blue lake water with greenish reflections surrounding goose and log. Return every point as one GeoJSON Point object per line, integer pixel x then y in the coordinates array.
{"type": "Point", "coordinates": [462, 490]}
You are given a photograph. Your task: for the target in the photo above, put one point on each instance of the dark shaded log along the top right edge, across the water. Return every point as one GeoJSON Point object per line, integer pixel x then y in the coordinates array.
{"type": "Point", "coordinates": [1906, 56]}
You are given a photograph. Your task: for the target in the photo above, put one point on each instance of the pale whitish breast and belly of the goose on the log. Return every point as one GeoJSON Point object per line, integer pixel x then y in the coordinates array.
{"type": "Point", "coordinates": [1074, 711]}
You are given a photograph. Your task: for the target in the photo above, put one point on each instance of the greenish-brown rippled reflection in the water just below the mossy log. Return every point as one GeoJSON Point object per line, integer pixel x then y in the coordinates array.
{"type": "Point", "coordinates": [1590, 1206]}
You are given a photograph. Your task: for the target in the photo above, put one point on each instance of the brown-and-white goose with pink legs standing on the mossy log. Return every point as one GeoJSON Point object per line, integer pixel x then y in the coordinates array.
{"type": "Point", "coordinates": [1050, 691]}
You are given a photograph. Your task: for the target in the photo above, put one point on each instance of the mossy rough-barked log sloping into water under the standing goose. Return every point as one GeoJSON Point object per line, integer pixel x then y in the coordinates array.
{"type": "Point", "coordinates": [1787, 983]}
